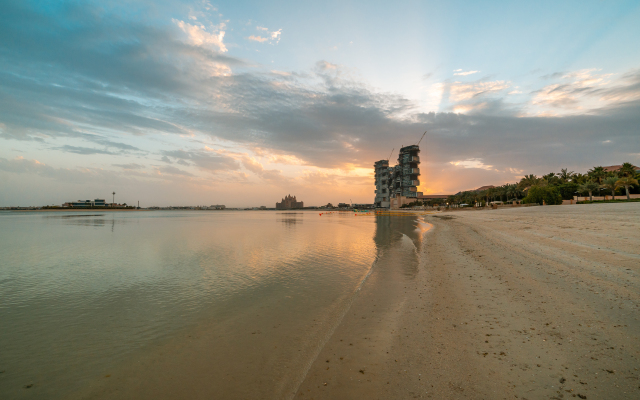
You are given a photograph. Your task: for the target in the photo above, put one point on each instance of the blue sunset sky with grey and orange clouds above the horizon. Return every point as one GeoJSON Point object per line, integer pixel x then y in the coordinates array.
{"type": "Point", "coordinates": [243, 102]}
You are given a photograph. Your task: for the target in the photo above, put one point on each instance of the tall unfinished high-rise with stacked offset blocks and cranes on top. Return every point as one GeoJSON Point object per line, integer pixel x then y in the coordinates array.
{"type": "Point", "coordinates": [400, 181]}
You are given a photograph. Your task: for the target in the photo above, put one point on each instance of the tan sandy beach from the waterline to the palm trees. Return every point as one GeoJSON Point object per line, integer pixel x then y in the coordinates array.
{"type": "Point", "coordinates": [533, 303]}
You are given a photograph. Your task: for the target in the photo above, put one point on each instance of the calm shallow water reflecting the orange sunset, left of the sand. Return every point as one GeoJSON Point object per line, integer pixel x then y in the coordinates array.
{"type": "Point", "coordinates": [83, 295]}
